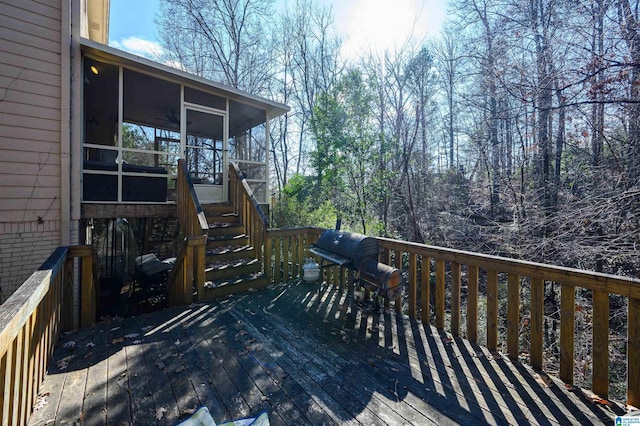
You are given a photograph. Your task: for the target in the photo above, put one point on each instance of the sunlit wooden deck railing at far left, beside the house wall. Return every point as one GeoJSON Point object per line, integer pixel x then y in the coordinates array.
{"type": "Point", "coordinates": [30, 322]}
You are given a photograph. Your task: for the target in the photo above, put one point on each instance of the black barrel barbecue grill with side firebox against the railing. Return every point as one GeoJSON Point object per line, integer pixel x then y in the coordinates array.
{"type": "Point", "coordinates": [358, 253]}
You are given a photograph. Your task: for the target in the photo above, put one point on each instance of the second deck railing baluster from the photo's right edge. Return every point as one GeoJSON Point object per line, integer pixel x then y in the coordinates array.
{"type": "Point", "coordinates": [600, 342]}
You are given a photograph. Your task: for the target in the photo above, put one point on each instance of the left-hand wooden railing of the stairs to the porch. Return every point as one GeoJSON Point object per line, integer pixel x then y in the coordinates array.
{"type": "Point", "coordinates": [189, 268]}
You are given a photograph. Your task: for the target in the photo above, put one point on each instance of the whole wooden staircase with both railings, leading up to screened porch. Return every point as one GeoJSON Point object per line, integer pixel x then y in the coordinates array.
{"type": "Point", "coordinates": [223, 244]}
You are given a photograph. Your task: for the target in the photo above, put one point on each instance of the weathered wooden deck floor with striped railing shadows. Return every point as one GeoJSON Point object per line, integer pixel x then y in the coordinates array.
{"type": "Point", "coordinates": [305, 356]}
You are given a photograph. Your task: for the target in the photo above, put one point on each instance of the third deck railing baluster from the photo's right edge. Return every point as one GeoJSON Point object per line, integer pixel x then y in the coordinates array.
{"type": "Point", "coordinates": [567, 330]}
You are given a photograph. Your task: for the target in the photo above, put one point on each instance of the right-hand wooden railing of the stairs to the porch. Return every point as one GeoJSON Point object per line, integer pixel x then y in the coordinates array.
{"type": "Point", "coordinates": [249, 211]}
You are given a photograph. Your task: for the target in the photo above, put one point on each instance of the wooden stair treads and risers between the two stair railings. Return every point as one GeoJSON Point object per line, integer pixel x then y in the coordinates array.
{"type": "Point", "coordinates": [232, 263]}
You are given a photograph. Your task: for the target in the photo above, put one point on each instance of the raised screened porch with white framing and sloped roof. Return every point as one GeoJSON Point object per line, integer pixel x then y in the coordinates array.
{"type": "Point", "coordinates": [139, 117]}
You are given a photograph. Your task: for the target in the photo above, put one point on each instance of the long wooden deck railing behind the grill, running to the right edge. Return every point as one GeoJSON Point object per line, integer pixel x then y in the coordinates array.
{"type": "Point", "coordinates": [286, 249]}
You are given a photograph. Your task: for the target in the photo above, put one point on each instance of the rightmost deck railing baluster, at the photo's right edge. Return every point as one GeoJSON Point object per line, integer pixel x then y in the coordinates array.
{"type": "Point", "coordinates": [633, 352]}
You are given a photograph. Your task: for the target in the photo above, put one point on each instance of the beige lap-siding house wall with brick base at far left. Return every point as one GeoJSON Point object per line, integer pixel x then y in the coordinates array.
{"type": "Point", "coordinates": [31, 84]}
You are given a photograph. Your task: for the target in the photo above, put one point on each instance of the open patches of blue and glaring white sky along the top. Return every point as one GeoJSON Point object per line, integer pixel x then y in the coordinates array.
{"type": "Point", "coordinates": [364, 24]}
